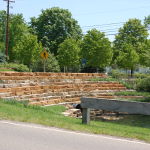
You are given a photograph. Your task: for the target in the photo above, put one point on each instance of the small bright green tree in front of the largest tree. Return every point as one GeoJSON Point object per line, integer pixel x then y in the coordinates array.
{"type": "Point", "coordinates": [68, 53]}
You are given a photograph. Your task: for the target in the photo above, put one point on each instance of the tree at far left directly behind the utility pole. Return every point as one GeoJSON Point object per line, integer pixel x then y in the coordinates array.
{"type": "Point", "coordinates": [17, 28]}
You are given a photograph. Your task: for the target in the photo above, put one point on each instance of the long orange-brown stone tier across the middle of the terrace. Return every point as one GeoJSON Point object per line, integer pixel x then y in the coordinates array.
{"type": "Point", "coordinates": [59, 88]}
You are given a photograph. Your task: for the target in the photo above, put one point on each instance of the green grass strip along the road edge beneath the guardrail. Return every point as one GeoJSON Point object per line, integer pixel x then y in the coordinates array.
{"type": "Point", "coordinates": [136, 127]}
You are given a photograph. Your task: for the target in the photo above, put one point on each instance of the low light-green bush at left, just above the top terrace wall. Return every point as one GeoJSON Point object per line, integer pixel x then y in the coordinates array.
{"type": "Point", "coordinates": [15, 67]}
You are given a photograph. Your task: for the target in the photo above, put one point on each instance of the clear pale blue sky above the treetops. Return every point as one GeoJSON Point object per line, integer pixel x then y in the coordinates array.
{"type": "Point", "coordinates": [105, 15]}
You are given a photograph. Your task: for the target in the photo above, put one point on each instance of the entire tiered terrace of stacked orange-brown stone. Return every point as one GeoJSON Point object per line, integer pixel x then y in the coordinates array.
{"type": "Point", "coordinates": [53, 88]}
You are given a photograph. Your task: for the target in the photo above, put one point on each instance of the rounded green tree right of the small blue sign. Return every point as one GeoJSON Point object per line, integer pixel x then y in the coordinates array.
{"type": "Point", "coordinates": [96, 49]}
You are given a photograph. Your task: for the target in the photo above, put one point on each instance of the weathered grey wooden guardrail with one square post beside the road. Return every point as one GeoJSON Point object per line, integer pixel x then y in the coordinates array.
{"type": "Point", "coordinates": [112, 105]}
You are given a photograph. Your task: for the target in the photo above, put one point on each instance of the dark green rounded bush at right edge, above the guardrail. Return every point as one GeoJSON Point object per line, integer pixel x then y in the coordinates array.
{"type": "Point", "coordinates": [144, 85]}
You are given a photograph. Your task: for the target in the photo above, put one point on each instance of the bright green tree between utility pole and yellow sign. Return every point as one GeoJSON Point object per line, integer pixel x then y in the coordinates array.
{"type": "Point", "coordinates": [27, 50]}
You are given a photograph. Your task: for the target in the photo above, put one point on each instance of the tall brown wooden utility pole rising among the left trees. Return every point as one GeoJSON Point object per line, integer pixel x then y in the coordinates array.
{"type": "Point", "coordinates": [7, 27]}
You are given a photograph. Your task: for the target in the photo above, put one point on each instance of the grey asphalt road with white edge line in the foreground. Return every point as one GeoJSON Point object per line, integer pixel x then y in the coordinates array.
{"type": "Point", "coordinates": [22, 136]}
